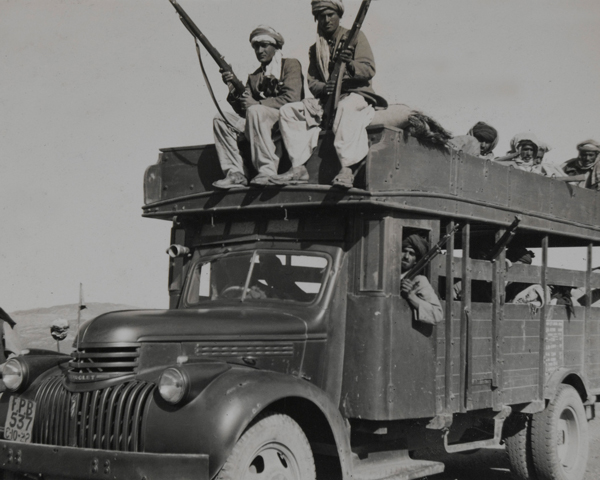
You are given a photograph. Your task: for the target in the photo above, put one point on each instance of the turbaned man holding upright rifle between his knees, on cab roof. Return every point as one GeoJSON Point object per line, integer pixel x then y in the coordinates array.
{"type": "Point", "coordinates": [300, 121]}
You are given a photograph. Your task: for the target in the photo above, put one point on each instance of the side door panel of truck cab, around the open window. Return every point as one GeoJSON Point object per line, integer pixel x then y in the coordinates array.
{"type": "Point", "coordinates": [390, 359]}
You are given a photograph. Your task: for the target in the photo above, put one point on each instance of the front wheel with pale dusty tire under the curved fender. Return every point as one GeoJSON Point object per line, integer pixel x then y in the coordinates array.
{"type": "Point", "coordinates": [274, 443]}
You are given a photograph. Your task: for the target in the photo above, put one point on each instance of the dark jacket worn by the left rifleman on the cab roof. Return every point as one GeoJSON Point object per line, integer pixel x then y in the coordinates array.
{"type": "Point", "coordinates": [290, 88]}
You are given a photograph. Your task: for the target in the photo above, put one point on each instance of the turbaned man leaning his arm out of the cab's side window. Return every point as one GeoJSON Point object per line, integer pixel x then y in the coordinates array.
{"type": "Point", "coordinates": [418, 292]}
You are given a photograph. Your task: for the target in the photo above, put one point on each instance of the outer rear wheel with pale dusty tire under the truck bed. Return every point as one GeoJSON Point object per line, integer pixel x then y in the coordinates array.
{"type": "Point", "coordinates": [549, 462]}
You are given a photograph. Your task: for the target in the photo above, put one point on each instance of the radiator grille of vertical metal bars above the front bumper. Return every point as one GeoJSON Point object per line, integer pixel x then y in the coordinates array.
{"type": "Point", "coordinates": [107, 419]}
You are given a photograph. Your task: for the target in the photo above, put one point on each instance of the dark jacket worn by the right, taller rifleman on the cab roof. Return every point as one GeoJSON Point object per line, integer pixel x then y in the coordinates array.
{"type": "Point", "coordinates": [359, 72]}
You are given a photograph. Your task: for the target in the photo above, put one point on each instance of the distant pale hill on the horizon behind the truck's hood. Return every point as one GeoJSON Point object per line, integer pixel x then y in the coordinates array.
{"type": "Point", "coordinates": [34, 325]}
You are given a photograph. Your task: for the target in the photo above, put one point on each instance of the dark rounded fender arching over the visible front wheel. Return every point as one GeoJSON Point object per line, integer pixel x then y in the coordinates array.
{"type": "Point", "coordinates": [213, 421]}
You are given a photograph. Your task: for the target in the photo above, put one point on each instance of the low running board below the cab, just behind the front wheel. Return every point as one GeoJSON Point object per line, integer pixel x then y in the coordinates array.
{"type": "Point", "coordinates": [392, 465]}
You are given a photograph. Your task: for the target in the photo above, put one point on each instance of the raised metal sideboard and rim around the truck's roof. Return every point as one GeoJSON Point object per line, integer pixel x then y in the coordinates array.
{"type": "Point", "coordinates": [399, 173]}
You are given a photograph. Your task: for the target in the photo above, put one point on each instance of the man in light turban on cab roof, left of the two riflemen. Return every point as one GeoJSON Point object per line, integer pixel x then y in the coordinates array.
{"type": "Point", "coordinates": [277, 82]}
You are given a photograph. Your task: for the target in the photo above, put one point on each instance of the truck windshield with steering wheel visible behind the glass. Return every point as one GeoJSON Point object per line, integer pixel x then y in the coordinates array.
{"type": "Point", "coordinates": [259, 275]}
